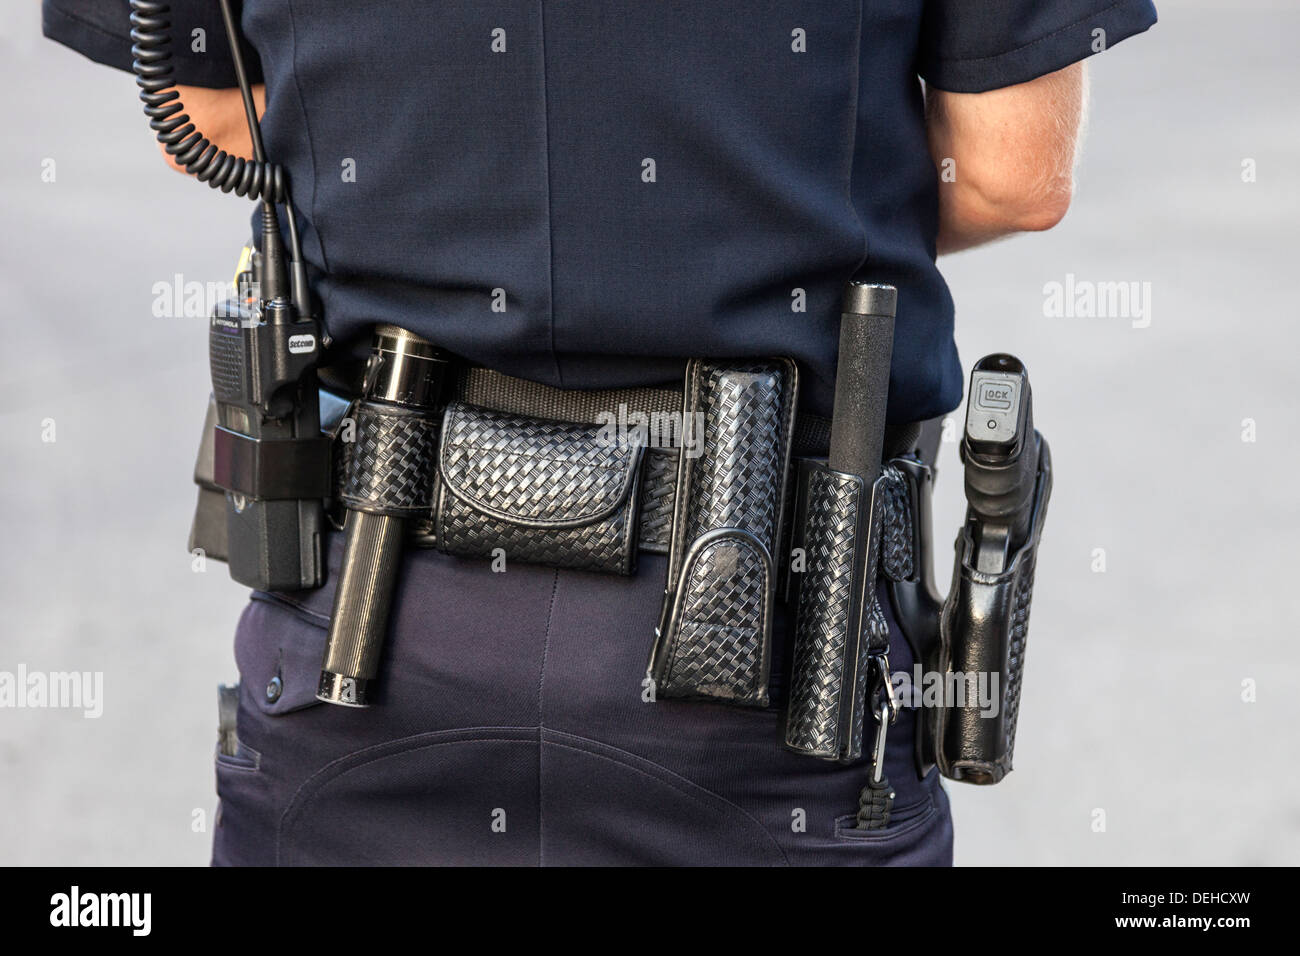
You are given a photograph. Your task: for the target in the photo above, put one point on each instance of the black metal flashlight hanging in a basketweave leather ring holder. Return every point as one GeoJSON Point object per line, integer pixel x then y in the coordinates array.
{"type": "Point", "coordinates": [389, 478]}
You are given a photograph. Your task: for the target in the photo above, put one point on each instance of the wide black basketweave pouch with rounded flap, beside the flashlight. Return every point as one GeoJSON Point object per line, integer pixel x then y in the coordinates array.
{"type": "Point", "coordinates": [538, 491]}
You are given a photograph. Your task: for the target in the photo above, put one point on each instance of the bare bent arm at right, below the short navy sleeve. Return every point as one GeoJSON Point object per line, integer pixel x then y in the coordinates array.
{"type": "Point", "coordinates": [1006, 158]}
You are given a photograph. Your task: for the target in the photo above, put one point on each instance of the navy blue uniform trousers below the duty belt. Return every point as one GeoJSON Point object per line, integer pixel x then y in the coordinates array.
{"type": "Point", "coordinates": [510, 729]}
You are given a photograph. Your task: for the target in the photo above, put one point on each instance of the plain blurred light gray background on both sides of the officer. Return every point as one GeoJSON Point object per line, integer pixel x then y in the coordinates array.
{"type": "Point", "coordinates": [1134, 697]}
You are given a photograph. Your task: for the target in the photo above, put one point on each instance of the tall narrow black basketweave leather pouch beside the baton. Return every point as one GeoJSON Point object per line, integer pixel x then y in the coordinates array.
{"type": "Point", "coordinates": [716, 630]}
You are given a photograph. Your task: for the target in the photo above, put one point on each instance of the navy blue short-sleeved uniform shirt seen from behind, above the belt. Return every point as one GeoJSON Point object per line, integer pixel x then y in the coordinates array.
{"type": "Point", "coordinates": [588, 192]}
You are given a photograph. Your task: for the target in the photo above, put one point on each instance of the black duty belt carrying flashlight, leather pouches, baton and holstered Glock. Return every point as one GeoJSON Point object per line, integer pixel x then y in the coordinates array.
{"type": "Point", "coordinates": [751, 503]}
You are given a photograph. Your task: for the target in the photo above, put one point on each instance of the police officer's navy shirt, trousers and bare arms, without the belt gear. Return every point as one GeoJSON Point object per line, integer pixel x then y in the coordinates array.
{"type": "Point", "coordinates": [584, 194]}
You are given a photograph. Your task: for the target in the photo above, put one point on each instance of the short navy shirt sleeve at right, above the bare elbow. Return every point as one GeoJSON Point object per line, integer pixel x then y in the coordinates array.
{"type": "Point", "coordinates": [973, 46]}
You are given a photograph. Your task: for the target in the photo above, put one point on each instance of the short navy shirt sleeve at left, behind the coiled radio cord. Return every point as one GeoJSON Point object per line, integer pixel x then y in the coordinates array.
{"type": "Point", "coordinates": [102, 31]}
